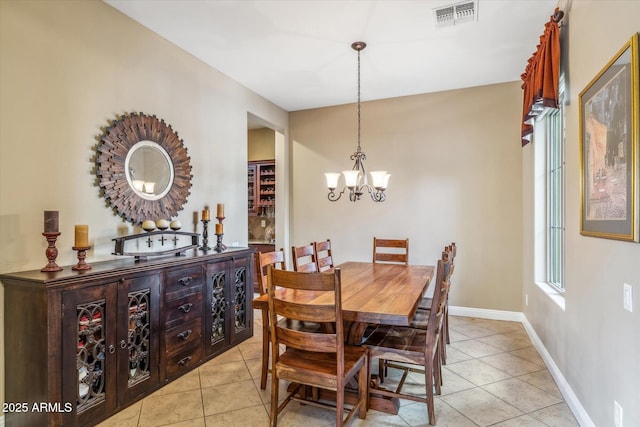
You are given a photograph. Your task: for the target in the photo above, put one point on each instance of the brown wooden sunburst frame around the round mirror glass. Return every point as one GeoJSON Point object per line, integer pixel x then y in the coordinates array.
{"type": "Point", "coordinates": [117, 140]}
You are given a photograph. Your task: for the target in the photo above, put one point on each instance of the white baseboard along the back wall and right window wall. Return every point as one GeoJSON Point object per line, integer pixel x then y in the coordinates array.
{"type": "Point", "coordinates": [567, 392]}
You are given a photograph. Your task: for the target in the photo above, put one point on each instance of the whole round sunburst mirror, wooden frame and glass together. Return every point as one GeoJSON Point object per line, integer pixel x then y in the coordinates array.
{"type": "Point", "coordinates": [143, 168]}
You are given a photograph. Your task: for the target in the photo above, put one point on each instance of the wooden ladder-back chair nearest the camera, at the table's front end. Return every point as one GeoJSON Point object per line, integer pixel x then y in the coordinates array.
{"type": "Point", "coordinates": [318, 360]}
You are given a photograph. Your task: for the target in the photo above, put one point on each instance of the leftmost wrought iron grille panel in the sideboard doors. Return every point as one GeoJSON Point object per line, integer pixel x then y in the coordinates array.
{"type": "Point", "coordinates": [90, 355]}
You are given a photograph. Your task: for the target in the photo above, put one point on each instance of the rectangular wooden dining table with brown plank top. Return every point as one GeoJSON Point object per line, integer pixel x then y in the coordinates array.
{"type": "Point", "coordinates": [372, 294]}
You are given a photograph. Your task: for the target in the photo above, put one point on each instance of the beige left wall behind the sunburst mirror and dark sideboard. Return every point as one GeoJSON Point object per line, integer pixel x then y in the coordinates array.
{"type": "Point", "coordinates": [67, 68]}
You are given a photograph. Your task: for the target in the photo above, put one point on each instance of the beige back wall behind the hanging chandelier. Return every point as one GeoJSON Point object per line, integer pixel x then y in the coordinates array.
{"type": "Point", "coordinates": [455, 164]}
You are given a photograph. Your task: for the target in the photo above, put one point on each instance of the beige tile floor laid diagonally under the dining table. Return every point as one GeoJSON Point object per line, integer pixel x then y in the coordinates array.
{"type": "Point", "coordinates": [493, 377]}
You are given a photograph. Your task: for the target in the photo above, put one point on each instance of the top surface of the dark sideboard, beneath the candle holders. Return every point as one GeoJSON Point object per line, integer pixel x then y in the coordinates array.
{"type": "Point", "coordinates": [118, 267]}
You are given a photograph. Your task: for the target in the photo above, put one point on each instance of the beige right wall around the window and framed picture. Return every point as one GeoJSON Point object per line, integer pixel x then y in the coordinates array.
{"type": "Point", "coordinates": [594, 342]}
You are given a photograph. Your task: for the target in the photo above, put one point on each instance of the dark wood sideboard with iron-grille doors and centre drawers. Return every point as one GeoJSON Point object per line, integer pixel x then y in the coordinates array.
{"type": "Point", "coordinates": [82, 345]}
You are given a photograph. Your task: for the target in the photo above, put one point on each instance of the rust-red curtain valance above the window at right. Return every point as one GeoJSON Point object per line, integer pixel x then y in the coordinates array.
{"type": "Point", "coordinates": [540, 78]}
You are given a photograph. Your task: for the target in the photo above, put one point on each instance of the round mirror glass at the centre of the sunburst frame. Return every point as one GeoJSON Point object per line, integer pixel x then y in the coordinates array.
{"type": "Point", "coordinates": [149, 170]}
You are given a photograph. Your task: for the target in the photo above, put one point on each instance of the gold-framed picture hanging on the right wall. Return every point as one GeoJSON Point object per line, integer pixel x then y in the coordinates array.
{"type": "Point", "coordinates": [609, 149]}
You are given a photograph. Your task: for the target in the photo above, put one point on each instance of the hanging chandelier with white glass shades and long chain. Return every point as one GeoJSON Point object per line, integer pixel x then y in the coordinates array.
{"type": "Point", "coordinates": [356, 179]}
